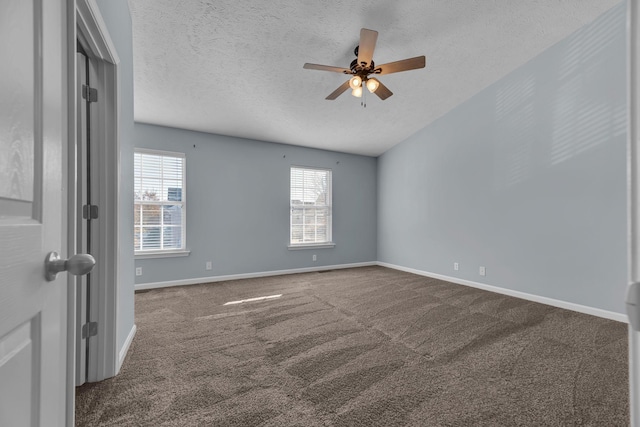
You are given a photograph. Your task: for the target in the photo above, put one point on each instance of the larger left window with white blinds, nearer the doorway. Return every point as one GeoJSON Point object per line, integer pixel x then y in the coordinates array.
{"type": "Point", "coordinates": [159, 202]}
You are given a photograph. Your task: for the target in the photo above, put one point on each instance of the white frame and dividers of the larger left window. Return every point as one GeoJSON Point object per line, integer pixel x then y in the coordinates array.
{"type": "Point", "coordinates": [172, 252]}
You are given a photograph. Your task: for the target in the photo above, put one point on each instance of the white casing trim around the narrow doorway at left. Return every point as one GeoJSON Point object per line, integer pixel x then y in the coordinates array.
{"type": "Point", "coordinates": [91, 30]}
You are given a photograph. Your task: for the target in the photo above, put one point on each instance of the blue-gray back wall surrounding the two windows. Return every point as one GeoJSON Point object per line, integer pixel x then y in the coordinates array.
{"type": "Point", "coordinates": [237, 194]}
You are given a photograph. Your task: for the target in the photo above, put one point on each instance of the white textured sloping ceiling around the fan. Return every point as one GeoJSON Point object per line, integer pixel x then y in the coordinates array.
{"type": "Point", "coordinates": [234, 67]}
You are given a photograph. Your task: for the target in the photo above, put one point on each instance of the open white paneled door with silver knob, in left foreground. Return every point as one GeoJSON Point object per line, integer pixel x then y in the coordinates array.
{"type": "Point", "coordinates": [33, 115]}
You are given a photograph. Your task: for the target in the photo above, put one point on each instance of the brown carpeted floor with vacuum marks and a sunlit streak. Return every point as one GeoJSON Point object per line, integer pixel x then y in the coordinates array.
{"type": "Point", "coordinates": [361, 347]}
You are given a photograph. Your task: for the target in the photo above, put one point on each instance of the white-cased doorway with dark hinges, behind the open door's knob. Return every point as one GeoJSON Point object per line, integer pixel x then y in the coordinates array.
{"type": "Point", "coordinates": [92, 221]}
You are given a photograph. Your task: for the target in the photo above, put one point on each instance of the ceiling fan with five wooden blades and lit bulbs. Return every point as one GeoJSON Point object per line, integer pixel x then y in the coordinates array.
{"type": "Point", "coordinates": [363, 67]}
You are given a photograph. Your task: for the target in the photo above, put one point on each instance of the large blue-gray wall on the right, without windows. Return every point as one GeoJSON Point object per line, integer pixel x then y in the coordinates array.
{"type": "Point", "coordinates": [527, 178]}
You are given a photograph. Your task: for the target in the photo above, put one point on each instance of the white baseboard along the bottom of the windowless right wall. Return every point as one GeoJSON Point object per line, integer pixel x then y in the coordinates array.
{"type": "Point", "coordinates": [611, 315]}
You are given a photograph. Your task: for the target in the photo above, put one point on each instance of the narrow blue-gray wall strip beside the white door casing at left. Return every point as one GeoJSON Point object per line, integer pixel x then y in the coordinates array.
{"type": "Point", "coordinates": [116, 16]}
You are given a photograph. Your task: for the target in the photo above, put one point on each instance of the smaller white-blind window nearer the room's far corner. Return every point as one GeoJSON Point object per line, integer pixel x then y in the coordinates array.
{"type": "Point", "coordinates": [310, 207]}
